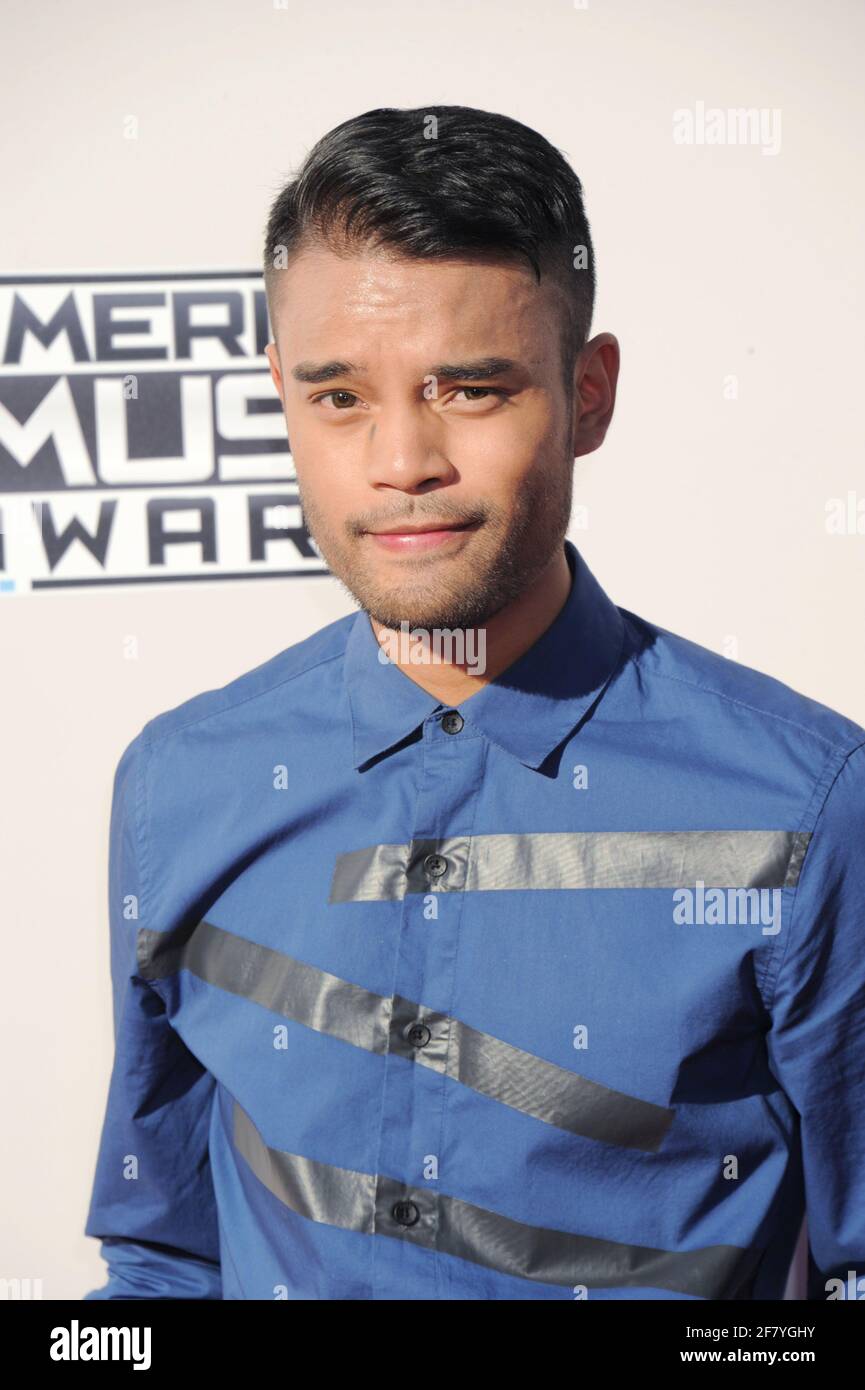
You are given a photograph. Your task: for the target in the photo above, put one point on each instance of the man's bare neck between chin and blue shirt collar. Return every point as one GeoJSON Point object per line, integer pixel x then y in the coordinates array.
{"type": "Point", "coordinates": [508, 635]}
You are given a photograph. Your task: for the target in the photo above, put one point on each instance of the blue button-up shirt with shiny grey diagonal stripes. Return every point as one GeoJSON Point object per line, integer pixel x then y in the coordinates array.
{"type": "Point", "coordinates": [554, 995]}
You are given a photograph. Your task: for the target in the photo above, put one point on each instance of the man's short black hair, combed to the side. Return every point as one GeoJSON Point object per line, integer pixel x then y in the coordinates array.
{"type": "Point", "coordinates": [468, 181]}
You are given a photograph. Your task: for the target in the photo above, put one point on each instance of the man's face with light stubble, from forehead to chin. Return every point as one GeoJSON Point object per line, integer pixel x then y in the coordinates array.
{"type": "Point", "coordinates": [419, 394]}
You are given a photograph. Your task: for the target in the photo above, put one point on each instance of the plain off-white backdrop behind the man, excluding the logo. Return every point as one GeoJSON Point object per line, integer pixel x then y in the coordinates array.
{"type": "Point", "coordinates": [731, 273]}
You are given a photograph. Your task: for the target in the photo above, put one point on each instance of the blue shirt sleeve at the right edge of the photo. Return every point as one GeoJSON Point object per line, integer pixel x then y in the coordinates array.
{"type": "Point", "coordinates": [817, 1042]}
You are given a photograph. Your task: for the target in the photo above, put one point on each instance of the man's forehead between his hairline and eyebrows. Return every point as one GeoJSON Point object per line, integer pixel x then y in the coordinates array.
{"type": "Point", "coordinates": [480, 304]}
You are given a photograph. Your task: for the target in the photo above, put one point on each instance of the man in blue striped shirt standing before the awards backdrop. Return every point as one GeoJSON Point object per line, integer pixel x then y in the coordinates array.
{"type": "Point", "coordinates": [531, 968]}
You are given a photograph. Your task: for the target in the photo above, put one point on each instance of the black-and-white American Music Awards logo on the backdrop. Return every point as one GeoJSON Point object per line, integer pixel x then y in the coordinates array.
{"type": "Point", "coordinates": [141, 436]}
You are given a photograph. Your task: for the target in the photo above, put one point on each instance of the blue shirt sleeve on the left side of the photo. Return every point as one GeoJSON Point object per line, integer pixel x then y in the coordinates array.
{"type": "Point", "coordinates": [152, 1203]}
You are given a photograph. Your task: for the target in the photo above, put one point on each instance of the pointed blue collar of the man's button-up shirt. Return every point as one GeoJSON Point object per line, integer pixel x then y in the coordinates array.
{"type": "Point", "coordinates": [529, 710]}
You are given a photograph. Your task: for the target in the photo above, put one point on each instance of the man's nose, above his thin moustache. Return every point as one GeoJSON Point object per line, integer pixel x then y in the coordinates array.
{"type": "Point", "coordinates": [407, 450]}
